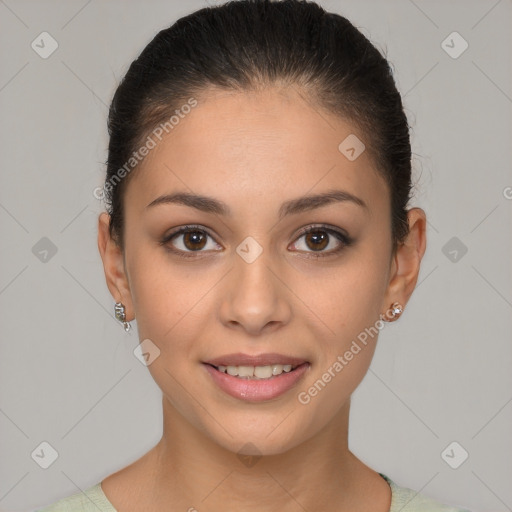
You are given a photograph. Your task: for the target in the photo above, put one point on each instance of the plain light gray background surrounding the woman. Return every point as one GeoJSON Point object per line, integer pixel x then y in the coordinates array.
{"type": "Point", "coordinates": [68, 375]}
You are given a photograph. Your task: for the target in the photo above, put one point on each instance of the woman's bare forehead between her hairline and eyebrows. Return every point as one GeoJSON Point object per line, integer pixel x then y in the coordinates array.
{"type": "Point", "coordinates": [244, 147]}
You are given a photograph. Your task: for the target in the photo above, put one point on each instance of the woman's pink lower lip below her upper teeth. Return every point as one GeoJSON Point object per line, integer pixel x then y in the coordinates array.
{"type": "Point", "coordinates": [257, 390]}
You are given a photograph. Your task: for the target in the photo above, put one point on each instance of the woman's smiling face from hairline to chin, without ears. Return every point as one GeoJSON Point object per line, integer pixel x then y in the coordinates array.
{"type": "Point", "coordinates": [244, 281]}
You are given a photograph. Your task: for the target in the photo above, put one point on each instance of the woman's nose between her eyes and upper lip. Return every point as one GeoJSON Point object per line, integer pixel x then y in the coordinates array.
{"type": "Point", "coordinates": [254, 297]}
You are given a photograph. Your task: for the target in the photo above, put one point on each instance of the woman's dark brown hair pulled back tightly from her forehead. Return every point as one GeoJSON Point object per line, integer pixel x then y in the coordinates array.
{"type": "Point", "coordinates": [250, 44]}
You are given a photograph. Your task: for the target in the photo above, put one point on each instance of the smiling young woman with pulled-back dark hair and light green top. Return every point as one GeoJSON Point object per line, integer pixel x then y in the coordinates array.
{"type": "Point", "coordinates": [259, 173]}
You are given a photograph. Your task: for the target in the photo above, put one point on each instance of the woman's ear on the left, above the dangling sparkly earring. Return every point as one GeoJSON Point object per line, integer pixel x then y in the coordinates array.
{"type": "Point", "coordinates": [114, 267]}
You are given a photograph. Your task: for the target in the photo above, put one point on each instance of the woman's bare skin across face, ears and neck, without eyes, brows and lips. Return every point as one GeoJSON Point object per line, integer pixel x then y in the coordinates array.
{"type": "Point", "coordinates": [255, 151]}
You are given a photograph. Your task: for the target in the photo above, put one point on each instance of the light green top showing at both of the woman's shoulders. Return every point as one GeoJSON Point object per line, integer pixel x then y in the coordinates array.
{"type": "Point", "coordinates": [402, 500]}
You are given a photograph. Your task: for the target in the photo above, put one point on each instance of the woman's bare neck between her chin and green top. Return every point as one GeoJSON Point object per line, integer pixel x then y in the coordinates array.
{"type": "Point", "coordinates": [189, 469]}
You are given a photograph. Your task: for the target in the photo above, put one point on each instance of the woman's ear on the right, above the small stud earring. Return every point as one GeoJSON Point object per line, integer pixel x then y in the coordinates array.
{"type": "Point", "coordinates": [405, 266]}
